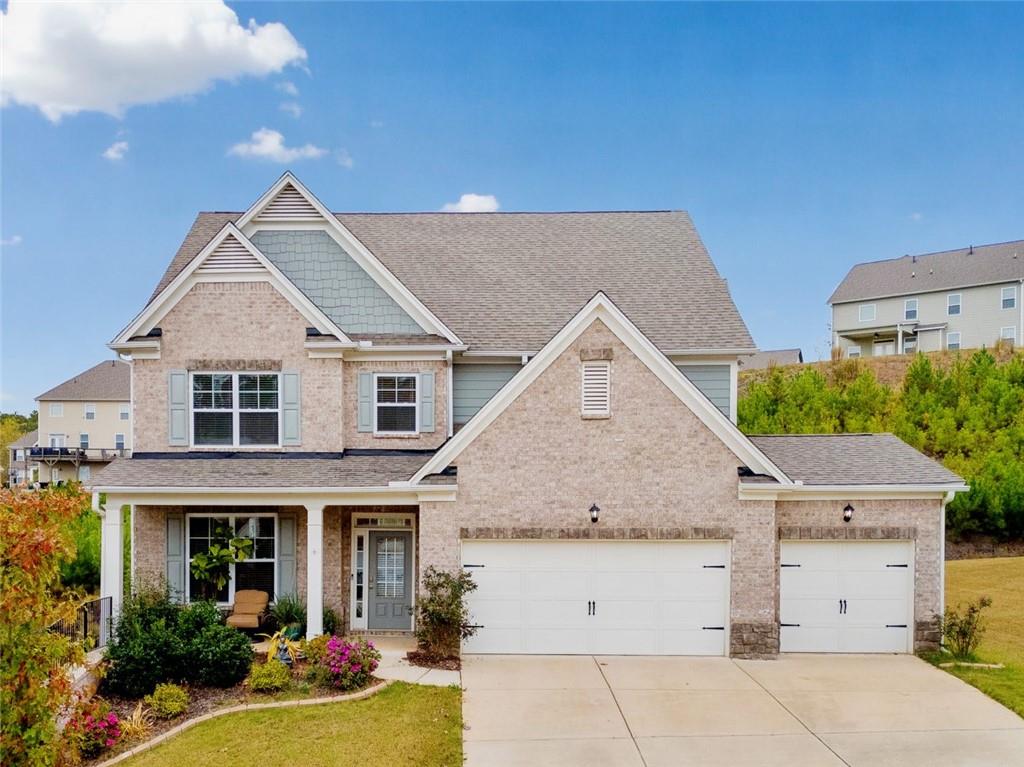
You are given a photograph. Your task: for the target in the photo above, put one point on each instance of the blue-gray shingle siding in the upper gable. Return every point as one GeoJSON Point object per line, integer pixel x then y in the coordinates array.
{"type": "Point", "coordinates": [333, 281]}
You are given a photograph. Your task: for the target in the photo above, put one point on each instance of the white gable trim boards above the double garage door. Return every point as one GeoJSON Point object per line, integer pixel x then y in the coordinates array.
{"type": "Point", "coordinates": [602, 308]}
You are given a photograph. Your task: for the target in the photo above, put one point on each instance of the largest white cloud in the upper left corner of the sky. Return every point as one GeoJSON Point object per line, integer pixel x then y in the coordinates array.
{"type": "Point", "coordinates": [91, 56]}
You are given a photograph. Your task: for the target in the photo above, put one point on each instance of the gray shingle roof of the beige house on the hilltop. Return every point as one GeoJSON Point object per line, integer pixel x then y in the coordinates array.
{"type": "Point", "coordinates": [1003, 263]}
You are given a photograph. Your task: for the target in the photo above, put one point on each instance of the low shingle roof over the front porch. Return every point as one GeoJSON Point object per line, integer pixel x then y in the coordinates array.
{"type": "Point", "coordinates": [284, 472]}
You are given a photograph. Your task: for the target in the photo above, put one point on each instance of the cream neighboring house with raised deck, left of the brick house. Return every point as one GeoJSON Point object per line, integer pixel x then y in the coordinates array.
{"type": "Point", "coordinates": [84, 423]}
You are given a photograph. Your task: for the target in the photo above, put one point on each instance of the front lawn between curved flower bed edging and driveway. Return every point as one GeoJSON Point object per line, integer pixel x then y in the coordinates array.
{"type": "Point", "coordinates": [404, 725]}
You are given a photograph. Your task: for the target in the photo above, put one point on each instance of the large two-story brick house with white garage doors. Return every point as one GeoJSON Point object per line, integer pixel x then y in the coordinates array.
{"type": "Point", "coordinates": [545, 400]}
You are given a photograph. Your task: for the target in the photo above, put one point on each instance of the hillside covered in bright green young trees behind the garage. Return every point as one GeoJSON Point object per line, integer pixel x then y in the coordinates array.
{"type": "Point", "coordinates": [964, 410]}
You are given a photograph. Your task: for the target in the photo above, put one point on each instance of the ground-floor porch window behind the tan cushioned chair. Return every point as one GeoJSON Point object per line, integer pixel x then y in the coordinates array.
{"type": "Point", "coordinates": [258, 572]}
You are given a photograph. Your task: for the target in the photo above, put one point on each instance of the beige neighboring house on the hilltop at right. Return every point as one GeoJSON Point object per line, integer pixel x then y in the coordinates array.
{"type": "Point", "coordinates": [958, 300]}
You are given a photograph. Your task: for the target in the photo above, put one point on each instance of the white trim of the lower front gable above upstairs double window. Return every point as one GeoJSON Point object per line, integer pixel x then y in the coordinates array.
{"type": "Point", "coordinates": [184, 282]}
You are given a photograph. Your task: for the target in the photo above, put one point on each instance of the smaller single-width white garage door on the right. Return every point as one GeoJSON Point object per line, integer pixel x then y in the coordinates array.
{"type": "Point", "coordinates": [846, 598]}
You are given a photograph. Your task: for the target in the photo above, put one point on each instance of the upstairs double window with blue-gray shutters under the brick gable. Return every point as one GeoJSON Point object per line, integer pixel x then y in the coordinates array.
{"type": "Point", "coordinates": [236, 409]}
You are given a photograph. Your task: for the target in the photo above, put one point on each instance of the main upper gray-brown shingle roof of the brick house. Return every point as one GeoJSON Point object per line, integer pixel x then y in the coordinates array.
{"type": "Point", "coordinates": [510, 281]}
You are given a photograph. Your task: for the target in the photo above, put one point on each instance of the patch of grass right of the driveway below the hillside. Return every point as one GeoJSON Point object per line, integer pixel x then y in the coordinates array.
{"type": "Point", "coordinates": [1003, 580]}
